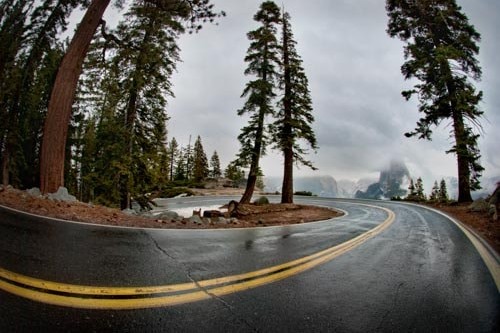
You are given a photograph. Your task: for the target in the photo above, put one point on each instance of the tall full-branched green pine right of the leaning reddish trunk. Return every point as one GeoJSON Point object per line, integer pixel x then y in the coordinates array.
{"type": "Point", "coordinates": [145, 65]}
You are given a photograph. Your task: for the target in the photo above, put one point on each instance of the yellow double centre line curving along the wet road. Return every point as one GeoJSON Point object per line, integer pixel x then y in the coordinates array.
{"type": "Point", "coordinates": [119, 298]}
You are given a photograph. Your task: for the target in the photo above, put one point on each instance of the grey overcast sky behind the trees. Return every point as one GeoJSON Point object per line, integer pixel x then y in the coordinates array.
{"type": "Point", "coordinates": [353, 68]}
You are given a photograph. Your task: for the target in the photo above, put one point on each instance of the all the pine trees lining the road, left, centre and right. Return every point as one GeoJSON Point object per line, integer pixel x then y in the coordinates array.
{"type": "Point", "coordinates": [91, 114]}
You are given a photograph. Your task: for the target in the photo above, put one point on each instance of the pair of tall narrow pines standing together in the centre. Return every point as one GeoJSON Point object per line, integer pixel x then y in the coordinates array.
{"type": "Point", "coordinates": [278, 90]}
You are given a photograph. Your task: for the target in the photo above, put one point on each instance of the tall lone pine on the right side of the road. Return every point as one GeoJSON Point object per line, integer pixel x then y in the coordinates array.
{"type": "Point", "coordinates": [441, 48]}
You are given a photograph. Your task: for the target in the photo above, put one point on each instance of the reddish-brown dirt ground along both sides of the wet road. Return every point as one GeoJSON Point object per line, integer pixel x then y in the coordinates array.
{"type": "Point", "coordinates": [249, 215]}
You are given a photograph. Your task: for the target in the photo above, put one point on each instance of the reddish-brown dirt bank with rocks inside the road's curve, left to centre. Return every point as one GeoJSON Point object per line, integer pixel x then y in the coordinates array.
{"type": "Point", "coordinates": [247, 215]}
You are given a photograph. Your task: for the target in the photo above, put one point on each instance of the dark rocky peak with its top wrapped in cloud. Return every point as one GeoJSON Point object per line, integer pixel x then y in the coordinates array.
{"type": "Point", "coordinates": [392, 182]}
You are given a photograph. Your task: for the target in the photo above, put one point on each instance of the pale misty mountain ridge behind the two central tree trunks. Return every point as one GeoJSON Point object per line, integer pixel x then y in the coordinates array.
{"type": "Point", "coordinates": [322, 186]}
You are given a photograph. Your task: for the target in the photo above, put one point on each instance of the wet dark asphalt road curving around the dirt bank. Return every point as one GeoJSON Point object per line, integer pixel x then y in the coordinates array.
{"type": "Point", "coordinates": [420, 274]}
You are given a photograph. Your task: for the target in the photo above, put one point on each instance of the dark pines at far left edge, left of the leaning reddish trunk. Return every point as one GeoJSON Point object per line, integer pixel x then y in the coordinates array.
{"type": "Point", "coordinates": [33, 40]}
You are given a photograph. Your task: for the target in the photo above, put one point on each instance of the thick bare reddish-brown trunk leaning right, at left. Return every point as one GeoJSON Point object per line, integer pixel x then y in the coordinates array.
{"type": "Point", "coordinates": [61, 100]}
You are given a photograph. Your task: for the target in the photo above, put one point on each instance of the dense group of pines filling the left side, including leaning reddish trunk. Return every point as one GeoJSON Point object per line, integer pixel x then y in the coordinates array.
{"type": "Point", "coordinates": [115, 145]}
